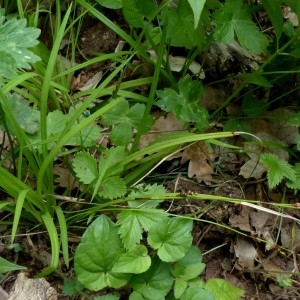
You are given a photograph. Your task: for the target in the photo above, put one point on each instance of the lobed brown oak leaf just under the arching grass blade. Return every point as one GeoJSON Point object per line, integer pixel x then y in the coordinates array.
{"type": "Point", "coordinates": [198, 154]}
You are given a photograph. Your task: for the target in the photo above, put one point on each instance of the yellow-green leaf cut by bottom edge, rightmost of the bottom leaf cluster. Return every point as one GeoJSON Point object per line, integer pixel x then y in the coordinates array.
{"type": "Point", "coordinates": [223, 290]}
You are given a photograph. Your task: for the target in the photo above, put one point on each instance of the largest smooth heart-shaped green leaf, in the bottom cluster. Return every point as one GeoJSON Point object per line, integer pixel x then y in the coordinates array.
{"type": "Point", "coordinates": [100, 248]}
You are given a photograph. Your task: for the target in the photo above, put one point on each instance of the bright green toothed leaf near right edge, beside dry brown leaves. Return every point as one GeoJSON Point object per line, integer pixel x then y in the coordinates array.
{"type": "Point", "coordinates": [277, 169]}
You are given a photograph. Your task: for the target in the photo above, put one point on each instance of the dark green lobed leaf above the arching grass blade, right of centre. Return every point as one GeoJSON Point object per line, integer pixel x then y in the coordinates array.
{"type": "Point", "coordinates": [185, 104]}
